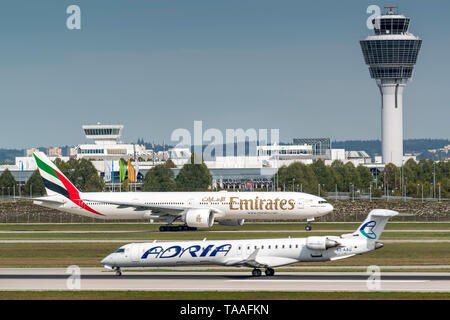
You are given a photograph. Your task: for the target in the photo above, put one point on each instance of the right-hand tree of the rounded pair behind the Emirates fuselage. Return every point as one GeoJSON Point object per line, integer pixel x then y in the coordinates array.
{"type": "Point", "coordinates": [194, 176]}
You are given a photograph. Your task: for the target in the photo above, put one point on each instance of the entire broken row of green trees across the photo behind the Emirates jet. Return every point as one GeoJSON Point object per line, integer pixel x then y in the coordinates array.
{"type": "Point", "coordinates": [425, 178]}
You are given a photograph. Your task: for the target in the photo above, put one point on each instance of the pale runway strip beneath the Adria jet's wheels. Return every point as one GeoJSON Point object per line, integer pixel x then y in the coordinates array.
{"type": "Point", "coordinates": [99, 279]}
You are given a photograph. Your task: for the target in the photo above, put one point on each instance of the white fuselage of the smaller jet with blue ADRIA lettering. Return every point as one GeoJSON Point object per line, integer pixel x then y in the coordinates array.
{"type": "Point", "coordinates": [270, 252]}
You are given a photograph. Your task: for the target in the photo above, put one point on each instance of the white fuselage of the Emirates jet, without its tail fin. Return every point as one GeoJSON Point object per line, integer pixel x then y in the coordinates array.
{"type": "Point", "coordinates": [225, 205]}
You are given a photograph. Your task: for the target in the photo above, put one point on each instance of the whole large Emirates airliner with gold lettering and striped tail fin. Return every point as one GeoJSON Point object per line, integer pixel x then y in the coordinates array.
{"type": "Point", "coordinates": [195, 209]}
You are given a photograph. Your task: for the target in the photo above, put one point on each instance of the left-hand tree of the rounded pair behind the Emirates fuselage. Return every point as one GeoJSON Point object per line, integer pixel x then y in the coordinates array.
{"type": "Point", "coordinates": [159, 178]}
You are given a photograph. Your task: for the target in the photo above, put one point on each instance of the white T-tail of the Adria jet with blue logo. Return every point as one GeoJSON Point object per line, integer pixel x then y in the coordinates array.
{"type": "Point", "coordinates": [374, 224]}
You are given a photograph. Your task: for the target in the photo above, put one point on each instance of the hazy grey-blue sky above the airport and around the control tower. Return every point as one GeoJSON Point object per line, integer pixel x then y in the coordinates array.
{"type": "Point", "coordinates": [158, 65]}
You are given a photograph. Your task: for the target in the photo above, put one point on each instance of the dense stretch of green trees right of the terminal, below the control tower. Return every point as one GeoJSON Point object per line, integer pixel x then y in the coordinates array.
{"type": "Point", "coordinates": [409, 179]}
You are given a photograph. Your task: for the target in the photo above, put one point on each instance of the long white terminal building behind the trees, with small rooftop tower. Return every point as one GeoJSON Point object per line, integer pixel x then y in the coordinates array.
{"type": "Point", "coordinates": [228, 172]}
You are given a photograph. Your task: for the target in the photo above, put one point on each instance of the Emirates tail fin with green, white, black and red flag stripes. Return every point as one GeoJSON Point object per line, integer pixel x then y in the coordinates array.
{"type": "Point", "coordinates": [56, 183]}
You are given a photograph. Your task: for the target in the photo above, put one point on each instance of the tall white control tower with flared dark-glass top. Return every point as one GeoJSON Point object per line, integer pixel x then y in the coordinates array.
{"type": "Point", "coordinates": [391, 54]}
